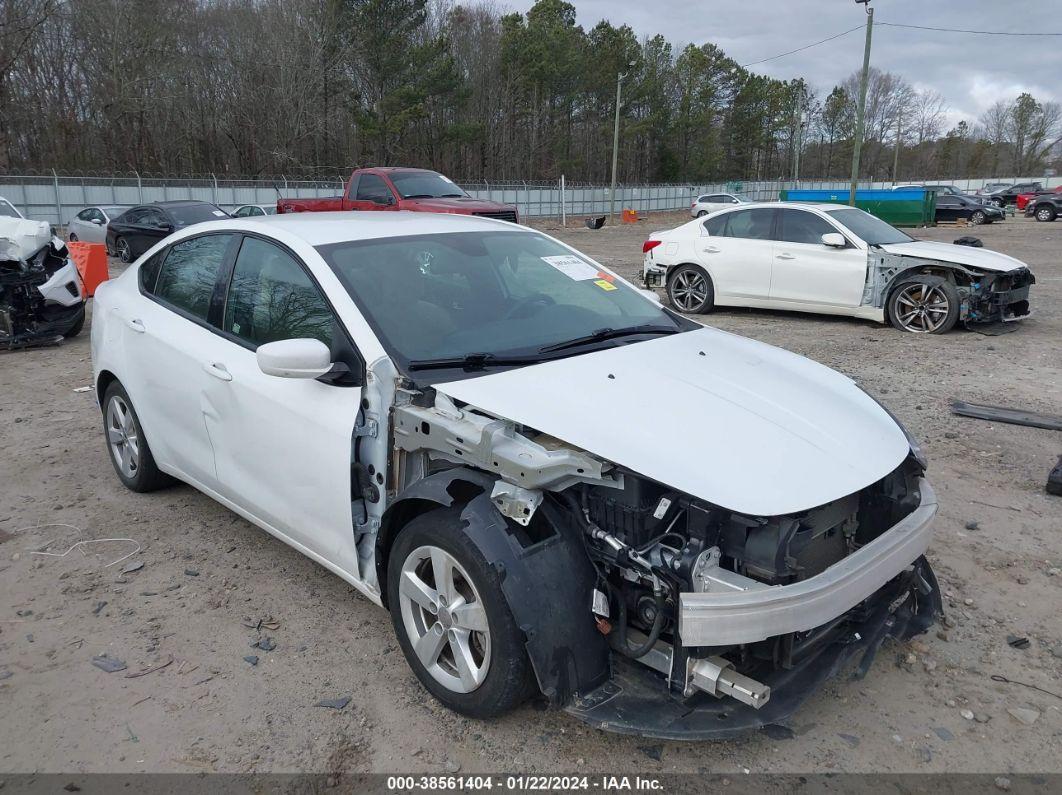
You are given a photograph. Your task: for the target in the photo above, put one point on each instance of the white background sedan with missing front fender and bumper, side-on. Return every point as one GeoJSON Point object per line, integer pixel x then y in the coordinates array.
{"type": "Point", "coordinates": [833, 260]}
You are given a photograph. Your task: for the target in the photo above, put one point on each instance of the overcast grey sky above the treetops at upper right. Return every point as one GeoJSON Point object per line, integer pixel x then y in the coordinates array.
{"type": "Point", "coordinates": [970, 72]}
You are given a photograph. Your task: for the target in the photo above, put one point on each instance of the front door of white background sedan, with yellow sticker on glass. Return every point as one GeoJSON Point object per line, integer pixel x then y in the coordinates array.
{"type": "Point", "coordinates": [808, 272]}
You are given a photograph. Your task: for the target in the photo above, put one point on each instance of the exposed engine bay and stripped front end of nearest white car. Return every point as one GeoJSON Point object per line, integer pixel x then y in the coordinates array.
{"type": "Point", "coordinates": [653, 548]}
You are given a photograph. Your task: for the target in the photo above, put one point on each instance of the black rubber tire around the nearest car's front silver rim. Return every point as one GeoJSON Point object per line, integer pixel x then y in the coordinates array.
{"type": "Point", "coordinates": [509, 680]}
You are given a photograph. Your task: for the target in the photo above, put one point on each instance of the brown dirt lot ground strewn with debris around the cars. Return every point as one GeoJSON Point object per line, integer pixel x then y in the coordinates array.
{"type": "Point", "coordinates": [928, 706]}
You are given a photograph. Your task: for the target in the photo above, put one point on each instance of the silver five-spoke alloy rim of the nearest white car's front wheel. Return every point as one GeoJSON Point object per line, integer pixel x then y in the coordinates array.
{"type": "Point", "coordinates": [446, 619]}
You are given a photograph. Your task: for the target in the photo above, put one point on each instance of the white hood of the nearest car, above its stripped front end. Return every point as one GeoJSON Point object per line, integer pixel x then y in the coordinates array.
{"type": "Point", "coordinates": [740, 424]}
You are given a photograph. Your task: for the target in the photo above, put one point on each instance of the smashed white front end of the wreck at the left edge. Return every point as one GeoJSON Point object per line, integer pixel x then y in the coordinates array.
{"type": "Point", "coordinates": [42, 298]}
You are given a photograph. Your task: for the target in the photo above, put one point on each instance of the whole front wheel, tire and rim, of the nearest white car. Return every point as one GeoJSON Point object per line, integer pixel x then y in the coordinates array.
{"type": "Point", "coordinates": [453, 620]}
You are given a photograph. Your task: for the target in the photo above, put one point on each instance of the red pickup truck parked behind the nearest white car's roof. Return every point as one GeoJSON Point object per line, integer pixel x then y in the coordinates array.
{"type": "Point", "coordinates": [402, 189]}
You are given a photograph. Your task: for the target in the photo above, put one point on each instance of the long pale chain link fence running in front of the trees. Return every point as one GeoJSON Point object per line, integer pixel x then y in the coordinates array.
{"type": "Point", "coordinates": [57, 198]}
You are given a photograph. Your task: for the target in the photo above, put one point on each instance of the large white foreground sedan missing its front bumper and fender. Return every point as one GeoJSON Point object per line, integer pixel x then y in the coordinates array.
{"type": "Point", "coordinates": [463, 419]}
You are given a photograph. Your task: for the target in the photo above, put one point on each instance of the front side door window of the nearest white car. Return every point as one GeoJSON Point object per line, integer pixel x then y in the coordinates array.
{"type": "Point", "coordinates": [272, 298]}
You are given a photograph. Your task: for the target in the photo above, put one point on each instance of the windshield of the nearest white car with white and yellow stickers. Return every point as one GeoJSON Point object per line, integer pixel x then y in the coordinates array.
{"type": "Point", "coordinates": [491, 296]}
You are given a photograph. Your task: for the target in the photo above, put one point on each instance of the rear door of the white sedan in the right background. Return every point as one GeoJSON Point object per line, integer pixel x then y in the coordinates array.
{"type": "Point", "coordinates": [738, 250]}
